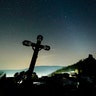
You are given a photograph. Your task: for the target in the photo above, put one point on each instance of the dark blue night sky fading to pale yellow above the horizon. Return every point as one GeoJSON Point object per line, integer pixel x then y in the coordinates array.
{"type": "Point", "coordinates": [68, 27]}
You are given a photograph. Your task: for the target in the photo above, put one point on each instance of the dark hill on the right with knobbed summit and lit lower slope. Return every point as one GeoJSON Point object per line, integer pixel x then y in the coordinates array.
{"type": "Point", "coordinates": [86, 66]}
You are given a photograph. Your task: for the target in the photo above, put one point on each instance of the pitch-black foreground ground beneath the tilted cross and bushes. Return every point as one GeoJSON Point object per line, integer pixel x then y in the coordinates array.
{"type": "Point", "coordinates": [46, 87]}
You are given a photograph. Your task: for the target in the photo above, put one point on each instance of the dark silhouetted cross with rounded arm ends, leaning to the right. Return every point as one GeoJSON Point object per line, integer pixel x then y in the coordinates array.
{"type": "Point", "coordinates": [36, 48]}
